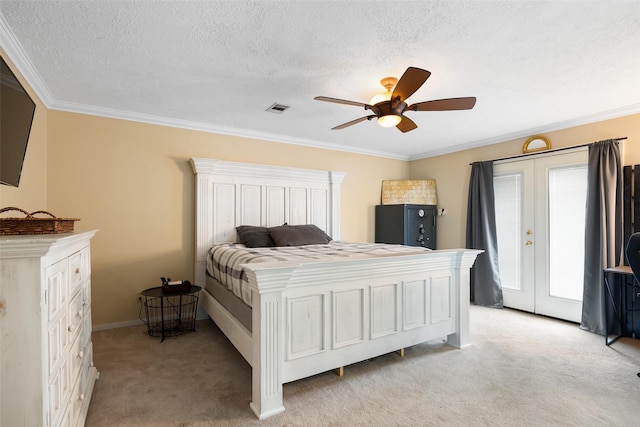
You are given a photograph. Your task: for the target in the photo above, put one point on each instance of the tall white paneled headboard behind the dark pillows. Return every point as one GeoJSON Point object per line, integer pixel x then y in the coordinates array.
{"type": "Point", "coordinates": [229, 194]}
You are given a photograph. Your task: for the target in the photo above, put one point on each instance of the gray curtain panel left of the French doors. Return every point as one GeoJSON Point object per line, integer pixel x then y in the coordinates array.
{"type": "Point", "coordinates": [486, 289]}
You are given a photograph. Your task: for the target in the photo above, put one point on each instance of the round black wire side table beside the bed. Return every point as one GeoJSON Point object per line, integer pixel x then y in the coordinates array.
{"type": "Point", "coordinates": [170, 313]}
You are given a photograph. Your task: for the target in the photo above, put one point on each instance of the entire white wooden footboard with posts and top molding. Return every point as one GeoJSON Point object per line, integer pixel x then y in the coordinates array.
{"type": "Point", "coordinates": [312, 317]}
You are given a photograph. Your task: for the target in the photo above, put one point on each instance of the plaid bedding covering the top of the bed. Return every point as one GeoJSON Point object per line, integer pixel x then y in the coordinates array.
{"type": "Point", "coordinates": [225, 261]}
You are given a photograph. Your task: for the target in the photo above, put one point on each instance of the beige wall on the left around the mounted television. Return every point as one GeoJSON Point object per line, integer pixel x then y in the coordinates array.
{"type": "Point", "coordinates": [31, 195]}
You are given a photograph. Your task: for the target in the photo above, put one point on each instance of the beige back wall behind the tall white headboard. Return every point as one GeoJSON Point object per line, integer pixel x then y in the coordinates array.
{"type": "Point", "coordinates": [133, 182]}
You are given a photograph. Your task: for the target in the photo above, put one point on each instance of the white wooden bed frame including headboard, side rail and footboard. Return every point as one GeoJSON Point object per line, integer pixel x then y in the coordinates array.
{"type": "Point", "coordinates": [311, 317]}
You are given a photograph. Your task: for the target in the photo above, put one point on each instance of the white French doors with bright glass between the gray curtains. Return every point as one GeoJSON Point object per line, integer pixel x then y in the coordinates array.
{"type": "Point", "coordinates": [540, 218]}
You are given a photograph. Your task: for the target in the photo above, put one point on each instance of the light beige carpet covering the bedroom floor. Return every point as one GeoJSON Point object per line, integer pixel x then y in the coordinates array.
{"type": "Point", "coordinates": [522, 370]}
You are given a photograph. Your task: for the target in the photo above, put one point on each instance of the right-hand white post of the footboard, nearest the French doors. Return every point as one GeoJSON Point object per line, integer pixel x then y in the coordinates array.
{"type": "Point", "coordinates": [464, 261]}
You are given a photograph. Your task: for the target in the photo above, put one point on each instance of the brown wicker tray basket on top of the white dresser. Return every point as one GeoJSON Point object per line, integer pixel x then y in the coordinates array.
{"type": "Point", "coordinates": [32, 225]}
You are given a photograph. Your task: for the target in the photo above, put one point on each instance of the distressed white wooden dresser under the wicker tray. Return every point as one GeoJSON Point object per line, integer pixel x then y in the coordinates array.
{"type": "Point", "coordinates": [46, 356]}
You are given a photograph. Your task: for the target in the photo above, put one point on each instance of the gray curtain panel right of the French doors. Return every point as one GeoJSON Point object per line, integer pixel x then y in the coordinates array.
{"type": "Point", "coordinates": [603, 228]}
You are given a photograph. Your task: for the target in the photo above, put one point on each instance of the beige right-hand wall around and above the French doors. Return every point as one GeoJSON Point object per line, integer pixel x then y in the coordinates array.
{"type": "Point", "coordinates": [452, 171]}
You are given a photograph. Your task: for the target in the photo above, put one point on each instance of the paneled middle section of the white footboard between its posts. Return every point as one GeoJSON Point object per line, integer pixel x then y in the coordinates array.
{"type": "Point", "coordinates": [332, 329]}
